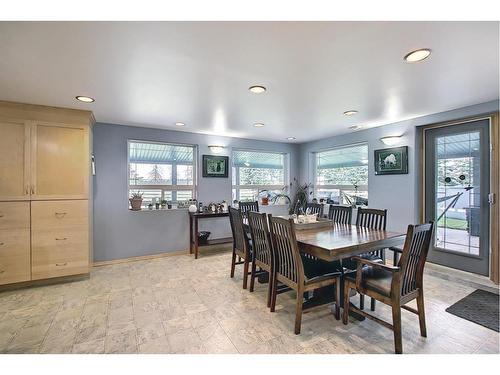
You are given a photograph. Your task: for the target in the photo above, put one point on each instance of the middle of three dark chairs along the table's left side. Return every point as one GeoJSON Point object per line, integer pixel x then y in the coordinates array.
{"type": "Point", "coordinates": [262, 255]}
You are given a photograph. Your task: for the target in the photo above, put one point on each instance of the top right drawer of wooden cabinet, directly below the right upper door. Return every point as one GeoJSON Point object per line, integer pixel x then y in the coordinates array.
{"type": "Point", "coordinates": [59, 214]}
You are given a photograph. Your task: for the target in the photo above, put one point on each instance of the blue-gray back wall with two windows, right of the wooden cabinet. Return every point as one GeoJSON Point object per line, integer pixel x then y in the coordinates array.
{"type": "Point", "coordinates": [120, 233]}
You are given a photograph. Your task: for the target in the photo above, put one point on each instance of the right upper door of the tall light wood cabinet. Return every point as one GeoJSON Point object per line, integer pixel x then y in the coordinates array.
{"type": "Point", "coordinates": [60, 161]}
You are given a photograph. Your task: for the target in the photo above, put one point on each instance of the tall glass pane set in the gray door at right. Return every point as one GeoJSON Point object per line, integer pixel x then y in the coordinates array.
{"type": "Point", "coordinates": [458, 193]}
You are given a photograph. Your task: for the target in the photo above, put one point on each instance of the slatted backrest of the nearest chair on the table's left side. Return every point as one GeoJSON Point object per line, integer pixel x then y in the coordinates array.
{"type": "Point", "coordinates": [287, 257]}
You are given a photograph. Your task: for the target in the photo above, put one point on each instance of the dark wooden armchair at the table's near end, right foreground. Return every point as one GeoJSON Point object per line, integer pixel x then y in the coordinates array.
{"type": "Point", "coordinates": [394, 285]}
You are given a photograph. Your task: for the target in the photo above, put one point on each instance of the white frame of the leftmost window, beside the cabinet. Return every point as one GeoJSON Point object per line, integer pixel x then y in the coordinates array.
{"type": "Point", "coordinates": [173, 188]}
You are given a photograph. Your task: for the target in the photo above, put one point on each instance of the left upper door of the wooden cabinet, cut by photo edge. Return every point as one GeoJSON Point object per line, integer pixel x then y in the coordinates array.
{"type": "Point", "coordinates": [14, 160]}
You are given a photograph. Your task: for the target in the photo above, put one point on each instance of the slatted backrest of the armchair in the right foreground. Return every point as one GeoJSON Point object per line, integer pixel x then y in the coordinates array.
{"type": "Point", "coordinates": [414, 256]}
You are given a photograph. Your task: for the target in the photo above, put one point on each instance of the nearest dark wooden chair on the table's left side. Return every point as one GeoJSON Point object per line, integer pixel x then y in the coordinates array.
{"type": "Point", "coordinates": [289, 269]}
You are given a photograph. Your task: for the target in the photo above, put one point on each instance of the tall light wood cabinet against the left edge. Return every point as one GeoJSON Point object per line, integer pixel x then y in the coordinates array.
{"type": "Point", "coordinates": [45, 195]}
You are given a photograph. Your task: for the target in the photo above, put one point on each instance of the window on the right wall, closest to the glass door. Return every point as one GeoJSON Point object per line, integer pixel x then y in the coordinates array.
{"type": "Point", "coordinates": [341, 175]}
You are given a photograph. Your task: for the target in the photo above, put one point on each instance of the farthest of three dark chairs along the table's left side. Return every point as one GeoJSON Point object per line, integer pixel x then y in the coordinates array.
{"type": "Point", "coordinates": [241, 245]}
